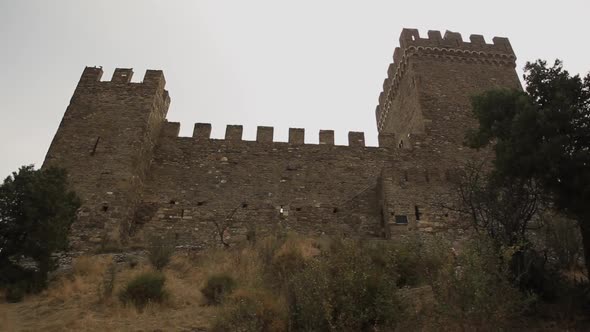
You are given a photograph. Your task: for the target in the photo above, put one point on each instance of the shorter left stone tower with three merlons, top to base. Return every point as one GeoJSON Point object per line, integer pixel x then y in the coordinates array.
{"type": "Point", "coordinates": [106, 141]}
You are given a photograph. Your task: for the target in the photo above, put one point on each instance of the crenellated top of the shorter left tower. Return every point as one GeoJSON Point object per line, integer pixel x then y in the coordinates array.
{"type": "Point", "coordinates": [93, 75]}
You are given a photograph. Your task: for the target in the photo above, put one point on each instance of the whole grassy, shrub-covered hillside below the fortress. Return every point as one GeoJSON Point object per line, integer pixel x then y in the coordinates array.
{"type": "Point", "coordinates": [289, 283]}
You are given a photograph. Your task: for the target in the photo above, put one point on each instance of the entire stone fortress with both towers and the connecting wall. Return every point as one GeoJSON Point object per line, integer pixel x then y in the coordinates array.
{"type": "Point", "coordinates": [138, 179]}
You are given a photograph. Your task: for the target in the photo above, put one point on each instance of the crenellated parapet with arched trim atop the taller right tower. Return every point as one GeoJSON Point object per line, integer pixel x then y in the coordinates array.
{"type": "Point", "coordinates": [450, 47]}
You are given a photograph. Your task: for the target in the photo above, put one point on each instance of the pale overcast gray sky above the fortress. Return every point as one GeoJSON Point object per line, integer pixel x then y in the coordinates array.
{"type": "Point", "coordinates": [314, 64]}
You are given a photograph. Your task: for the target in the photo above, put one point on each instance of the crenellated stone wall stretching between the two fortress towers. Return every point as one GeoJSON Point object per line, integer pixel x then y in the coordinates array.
{"type": "Point", "coordinates": [321, 189]}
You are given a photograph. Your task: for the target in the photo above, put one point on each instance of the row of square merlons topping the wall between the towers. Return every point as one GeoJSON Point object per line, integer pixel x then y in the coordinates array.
{"type": "Point", "coordinates": [264, 134]}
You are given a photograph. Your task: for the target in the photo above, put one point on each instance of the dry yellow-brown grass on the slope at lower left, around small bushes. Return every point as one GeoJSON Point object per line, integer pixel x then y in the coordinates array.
{"type": "Point", "coordinates": [74, 302]}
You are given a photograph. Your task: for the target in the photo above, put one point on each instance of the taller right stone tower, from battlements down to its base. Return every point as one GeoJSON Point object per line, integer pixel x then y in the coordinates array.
{"type": "Point", "coordinates": [422, 117]}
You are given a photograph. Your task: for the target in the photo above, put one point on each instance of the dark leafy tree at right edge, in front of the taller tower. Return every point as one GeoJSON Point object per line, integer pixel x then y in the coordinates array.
{"type": "Point", "coordinates": [542, 134]}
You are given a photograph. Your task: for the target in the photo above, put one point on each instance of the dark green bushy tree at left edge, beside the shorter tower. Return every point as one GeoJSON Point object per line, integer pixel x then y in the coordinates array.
{"type": "Point", "coordinates": [36, 211]}
